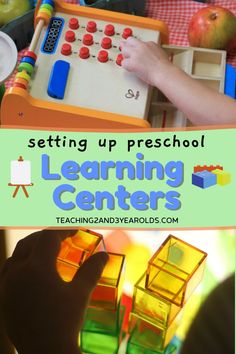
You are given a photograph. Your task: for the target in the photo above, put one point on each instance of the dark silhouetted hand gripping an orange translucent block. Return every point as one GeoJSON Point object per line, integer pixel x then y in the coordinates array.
{"type": "Point", "coordinates": [42, 313]}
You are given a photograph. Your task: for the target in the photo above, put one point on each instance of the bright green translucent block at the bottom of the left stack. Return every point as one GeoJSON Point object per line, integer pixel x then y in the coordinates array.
{"type": "Point", "coordinates": [102, 343]}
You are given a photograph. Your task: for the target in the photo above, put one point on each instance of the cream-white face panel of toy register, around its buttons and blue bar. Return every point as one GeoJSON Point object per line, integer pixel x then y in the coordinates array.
{"type": "Point", "coordinates": [91, 84]}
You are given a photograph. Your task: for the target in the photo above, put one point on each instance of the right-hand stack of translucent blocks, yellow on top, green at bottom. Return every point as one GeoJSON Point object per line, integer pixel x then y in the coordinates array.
{"type": "Point", "coordinates": [172, 274]}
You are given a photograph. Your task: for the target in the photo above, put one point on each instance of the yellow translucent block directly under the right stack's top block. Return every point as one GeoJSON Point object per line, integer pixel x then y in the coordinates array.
{"type": "Point", "coordinates": [152, 306]}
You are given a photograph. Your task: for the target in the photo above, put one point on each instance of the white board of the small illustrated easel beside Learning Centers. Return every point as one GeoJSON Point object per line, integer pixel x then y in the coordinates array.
{"type": "Point", "coordinates": [20, 172]}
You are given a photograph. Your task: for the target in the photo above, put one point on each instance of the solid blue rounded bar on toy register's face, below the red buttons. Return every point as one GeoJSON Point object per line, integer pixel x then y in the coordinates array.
{"type": "Point", "coordinates": [58, 79]}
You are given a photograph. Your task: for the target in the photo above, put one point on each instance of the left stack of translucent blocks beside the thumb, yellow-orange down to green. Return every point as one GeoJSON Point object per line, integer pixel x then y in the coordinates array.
{"type": "Point", "coordinates": [102, 328]}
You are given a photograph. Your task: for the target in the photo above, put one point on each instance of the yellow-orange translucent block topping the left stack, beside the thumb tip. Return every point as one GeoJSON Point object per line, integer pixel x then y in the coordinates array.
{"type": "Point", "coordinates": [107, 293]}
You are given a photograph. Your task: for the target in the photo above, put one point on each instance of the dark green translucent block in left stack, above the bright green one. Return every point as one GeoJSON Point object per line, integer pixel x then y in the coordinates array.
{"type": "Point", "coordinates": [105, 321]}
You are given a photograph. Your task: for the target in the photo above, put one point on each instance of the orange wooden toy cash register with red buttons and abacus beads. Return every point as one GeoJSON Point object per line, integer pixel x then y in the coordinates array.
{"type": "Point", "coordinates": [72, 77]}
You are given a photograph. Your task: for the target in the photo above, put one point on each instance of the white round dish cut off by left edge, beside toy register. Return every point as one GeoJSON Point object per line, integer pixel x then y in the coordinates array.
{"type": "Point", "coordinates": [8, 56]}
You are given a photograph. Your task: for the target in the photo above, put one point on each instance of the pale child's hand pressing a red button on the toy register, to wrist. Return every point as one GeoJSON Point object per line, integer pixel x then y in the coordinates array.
{"type": "Point", "coordinates": [146, 59]}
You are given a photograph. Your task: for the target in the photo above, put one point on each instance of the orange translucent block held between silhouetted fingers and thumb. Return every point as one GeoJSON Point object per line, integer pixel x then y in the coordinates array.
{"type": "Point", "coordinates": [75, 250]}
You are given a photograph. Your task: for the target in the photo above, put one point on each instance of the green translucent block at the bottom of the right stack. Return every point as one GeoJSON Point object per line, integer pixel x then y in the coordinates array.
{"type": "Point", "coordinates": [153, 337]}
